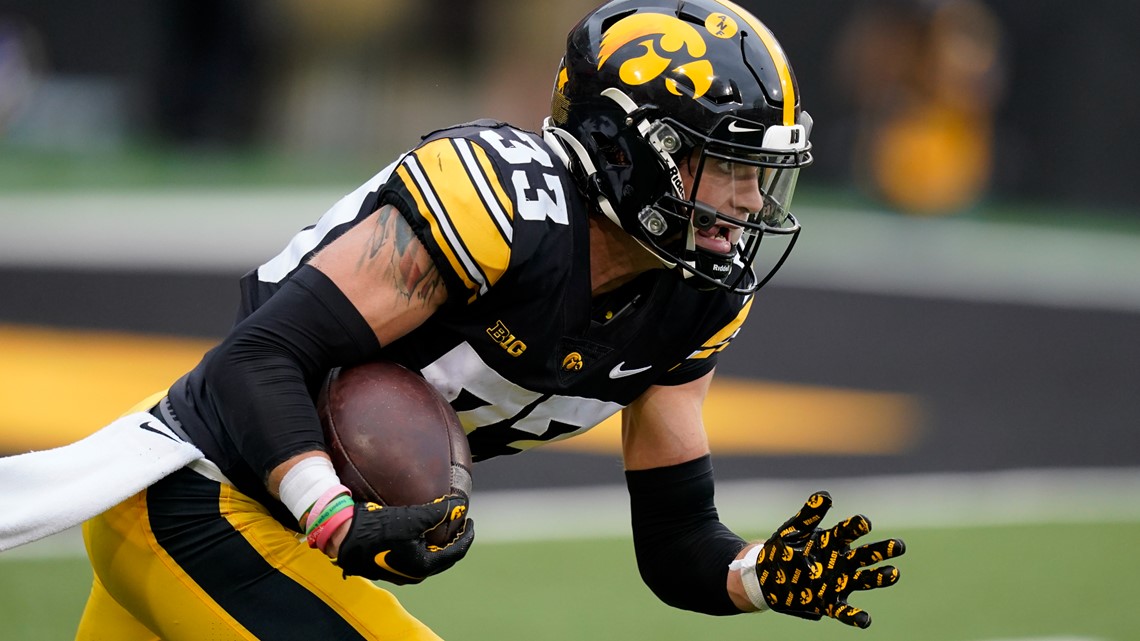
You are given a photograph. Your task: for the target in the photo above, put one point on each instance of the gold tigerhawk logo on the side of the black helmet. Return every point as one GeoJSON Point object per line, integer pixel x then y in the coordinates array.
{"type": "Point", "coordinates": [670, 44]}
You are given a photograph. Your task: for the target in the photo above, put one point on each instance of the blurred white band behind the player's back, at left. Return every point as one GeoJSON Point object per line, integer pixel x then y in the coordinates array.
{"type": "Point", "coordinates": [207, 231]}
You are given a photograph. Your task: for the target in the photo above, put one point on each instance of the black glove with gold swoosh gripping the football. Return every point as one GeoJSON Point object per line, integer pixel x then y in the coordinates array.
{"type": "Point", "coordinates": [387, 543]}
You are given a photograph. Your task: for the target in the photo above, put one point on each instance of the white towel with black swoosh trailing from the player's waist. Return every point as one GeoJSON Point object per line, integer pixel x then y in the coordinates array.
{"type": "Point", "coordinates": [46, 492]}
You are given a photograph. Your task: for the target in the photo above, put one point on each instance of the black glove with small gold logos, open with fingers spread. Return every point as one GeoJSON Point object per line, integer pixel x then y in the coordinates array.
{"type": "Point", "coordinates": [809, 572]}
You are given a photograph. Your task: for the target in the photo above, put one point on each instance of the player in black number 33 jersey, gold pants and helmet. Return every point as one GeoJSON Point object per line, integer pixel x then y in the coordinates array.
{"type": "Point", "coordinates": [542, 282]}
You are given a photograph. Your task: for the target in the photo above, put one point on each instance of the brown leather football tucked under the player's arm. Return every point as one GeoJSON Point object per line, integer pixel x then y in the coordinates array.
{"type": "Point", "coordinates": [395, 440]}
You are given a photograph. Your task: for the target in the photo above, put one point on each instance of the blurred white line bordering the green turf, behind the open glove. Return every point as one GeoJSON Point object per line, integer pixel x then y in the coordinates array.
{"type": "Point", "coordinates": [753, 508]}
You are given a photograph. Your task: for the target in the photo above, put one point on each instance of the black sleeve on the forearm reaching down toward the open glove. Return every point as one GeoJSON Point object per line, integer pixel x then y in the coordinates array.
{"type": "Point", "coordinates": [683, 549]}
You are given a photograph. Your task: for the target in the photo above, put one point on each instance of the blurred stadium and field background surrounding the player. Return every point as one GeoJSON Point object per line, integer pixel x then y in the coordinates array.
{"type": "Point", "coordinates": [952, 348]}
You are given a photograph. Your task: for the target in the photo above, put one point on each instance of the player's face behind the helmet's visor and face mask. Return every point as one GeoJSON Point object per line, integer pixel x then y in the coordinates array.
{"type": "Point", "coordinates": [734, 190]}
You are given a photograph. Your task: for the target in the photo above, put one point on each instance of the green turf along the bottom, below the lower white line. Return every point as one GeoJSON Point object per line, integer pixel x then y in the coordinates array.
{"type": "Point", "coordinates": [1056, 582]}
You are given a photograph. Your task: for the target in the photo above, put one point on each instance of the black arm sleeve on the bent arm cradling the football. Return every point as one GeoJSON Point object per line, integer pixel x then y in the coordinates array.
{"type": "Point", "coordinates": [265, 376]}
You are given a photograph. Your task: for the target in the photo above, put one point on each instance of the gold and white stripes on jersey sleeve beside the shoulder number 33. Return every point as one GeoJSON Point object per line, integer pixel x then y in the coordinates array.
{"type": "Point", "coordinates": [478, 232]}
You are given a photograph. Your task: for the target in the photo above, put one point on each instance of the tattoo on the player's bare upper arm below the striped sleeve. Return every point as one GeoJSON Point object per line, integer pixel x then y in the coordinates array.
{"type": "Point", "coordinates": [412, 281]}
